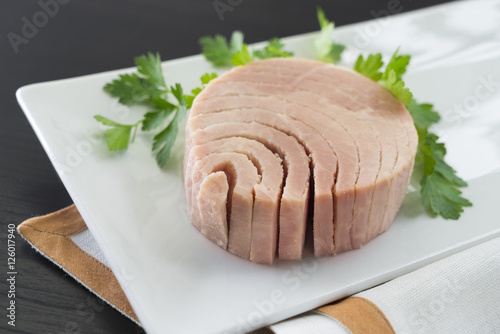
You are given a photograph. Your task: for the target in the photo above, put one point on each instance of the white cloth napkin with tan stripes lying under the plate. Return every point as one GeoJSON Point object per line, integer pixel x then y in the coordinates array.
{"type": "Point", "coordinates": [459, 294]}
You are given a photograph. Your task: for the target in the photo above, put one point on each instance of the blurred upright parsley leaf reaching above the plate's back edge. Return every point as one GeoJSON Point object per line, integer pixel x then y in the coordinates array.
{"type": "Point", "coordinates": [326, 49]}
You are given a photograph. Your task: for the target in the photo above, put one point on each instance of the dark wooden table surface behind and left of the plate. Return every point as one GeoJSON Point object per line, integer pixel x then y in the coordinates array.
{"type": "Point", "coordinates": [80, 37]}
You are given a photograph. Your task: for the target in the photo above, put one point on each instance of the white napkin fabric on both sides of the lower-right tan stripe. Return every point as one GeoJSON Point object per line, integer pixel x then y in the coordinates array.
{"type": "Point", "coordinates": [459, 294]}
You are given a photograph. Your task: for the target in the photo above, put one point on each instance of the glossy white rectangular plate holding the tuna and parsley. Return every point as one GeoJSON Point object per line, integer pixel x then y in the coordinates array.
{"type": "Point", "coordinates": [179, 282]}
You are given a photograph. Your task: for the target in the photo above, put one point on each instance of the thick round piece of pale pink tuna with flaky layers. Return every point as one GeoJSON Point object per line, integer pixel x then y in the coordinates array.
{"type": "Point", "coordinates": [298, 120]}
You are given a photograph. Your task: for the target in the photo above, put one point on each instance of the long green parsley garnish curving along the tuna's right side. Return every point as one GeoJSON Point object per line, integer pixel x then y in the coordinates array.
{"type": "Point", "coordinates": [439, 184]}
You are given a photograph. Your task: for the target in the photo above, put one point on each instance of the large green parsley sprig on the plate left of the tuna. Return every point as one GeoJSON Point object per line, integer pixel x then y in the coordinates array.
{"type": "Point", "coordinates": [167, 106]}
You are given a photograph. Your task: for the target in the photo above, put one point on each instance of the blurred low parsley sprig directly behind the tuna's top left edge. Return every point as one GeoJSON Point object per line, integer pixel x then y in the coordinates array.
{"type": "Point", "coordinates": [222, 53]}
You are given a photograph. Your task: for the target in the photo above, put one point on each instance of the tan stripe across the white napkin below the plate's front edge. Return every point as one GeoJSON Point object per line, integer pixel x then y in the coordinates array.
{"type": "Point", "coordinates": [359, 315]}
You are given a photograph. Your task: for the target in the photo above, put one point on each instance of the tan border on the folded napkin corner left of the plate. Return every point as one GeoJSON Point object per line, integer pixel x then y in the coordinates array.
{"type": "Point", "coordinates": [50, 234]}
